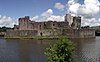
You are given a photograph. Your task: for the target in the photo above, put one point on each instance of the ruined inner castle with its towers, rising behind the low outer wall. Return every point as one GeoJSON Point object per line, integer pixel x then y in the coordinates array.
{"type": "Point", "coordinates": [26, 24]}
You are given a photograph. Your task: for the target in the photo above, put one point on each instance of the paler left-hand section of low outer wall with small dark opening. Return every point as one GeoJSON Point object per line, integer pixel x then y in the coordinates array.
{"type": "Point", "coordinates": [33, 33]}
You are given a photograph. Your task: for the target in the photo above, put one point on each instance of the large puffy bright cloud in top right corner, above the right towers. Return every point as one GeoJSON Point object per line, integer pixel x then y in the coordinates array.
{"type": "Point", "coordinates": [88, 9]}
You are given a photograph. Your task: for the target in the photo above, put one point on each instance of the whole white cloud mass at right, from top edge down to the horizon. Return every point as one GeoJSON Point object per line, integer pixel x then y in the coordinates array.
{"type": "Point", "coordinates": [88, 11]}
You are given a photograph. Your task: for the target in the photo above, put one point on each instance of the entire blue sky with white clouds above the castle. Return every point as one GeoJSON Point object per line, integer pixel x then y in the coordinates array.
{"type": "Point", "coordinates": [44, 10]}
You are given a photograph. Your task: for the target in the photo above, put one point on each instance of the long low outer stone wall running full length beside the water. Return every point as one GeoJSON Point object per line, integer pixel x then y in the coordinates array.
{"type": "Point", "coordinates": [70, 33]}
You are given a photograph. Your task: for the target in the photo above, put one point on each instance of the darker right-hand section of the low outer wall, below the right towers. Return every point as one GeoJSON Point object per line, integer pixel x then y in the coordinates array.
{"type": "Point", "coordinates": [79, 33]}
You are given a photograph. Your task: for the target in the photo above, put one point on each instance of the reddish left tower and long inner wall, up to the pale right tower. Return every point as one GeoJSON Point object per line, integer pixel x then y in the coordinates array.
{"type": "Point", "coordinates": [26, 24]}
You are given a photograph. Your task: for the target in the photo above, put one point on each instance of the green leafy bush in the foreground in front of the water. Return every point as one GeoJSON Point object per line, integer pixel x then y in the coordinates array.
{"type": "Point", "coordinates": [61, 51]}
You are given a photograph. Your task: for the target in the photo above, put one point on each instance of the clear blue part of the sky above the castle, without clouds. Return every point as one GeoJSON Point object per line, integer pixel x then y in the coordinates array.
{"type": "Point", "coordinates": [17, 8]}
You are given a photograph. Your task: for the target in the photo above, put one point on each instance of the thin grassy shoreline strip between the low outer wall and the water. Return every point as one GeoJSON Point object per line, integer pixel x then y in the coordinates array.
{"type": "Point", "coordinates": [47, 37]}
